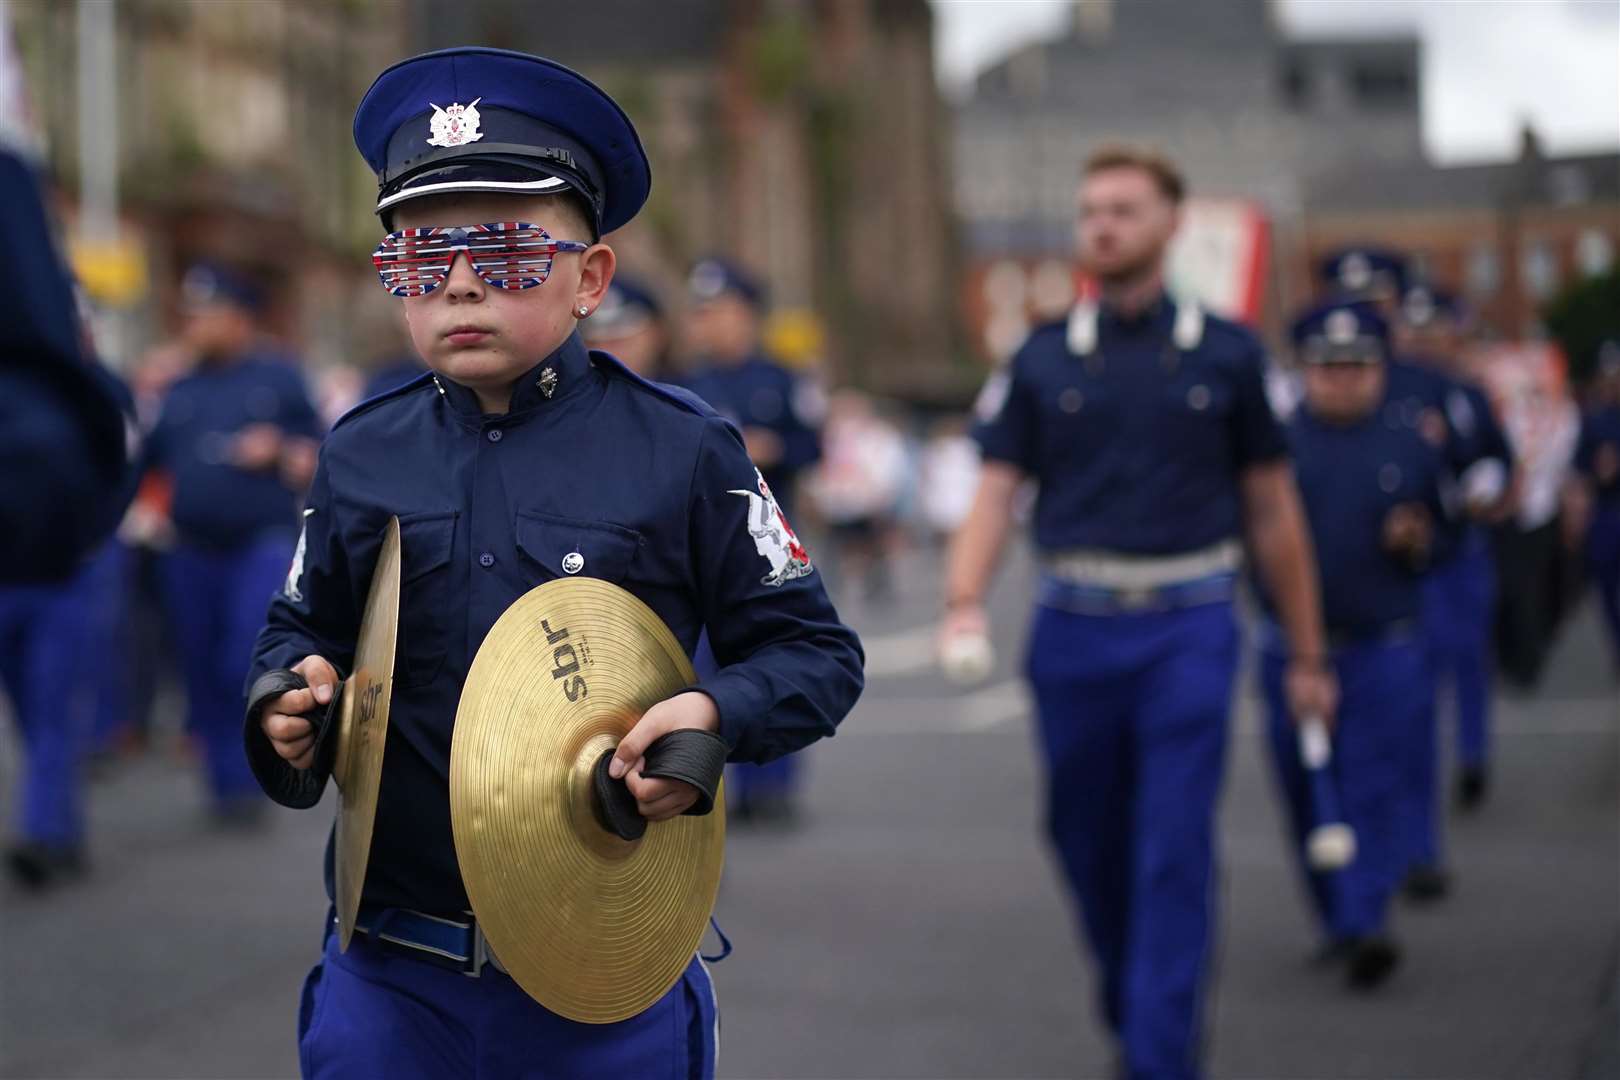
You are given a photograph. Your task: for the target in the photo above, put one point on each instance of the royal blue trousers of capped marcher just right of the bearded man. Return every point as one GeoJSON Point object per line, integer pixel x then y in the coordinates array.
{"type": "Point", "coordinates": [1383, 705]}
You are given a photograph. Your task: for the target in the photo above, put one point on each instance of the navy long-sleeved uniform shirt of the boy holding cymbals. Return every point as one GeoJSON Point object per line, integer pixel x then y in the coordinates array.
{"type": "Point", "coordinates": [650, 488]}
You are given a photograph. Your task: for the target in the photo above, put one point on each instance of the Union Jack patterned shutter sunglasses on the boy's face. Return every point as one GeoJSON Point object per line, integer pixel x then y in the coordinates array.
{"type": "Point", "coordinates": [506, 255]}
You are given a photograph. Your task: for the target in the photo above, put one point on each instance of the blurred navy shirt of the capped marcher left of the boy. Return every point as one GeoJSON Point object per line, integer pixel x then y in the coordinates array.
{"type": "Point", "coordinates": [218, 504]}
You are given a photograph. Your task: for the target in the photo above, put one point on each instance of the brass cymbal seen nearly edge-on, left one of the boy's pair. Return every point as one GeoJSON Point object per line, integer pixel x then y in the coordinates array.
{"type": "Point", "coordinates": [364, 731]}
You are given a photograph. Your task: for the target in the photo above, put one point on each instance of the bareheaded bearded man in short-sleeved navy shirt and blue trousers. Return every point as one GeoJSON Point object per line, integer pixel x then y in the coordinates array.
{"type": "Point", "coordinates": [1146, 428]}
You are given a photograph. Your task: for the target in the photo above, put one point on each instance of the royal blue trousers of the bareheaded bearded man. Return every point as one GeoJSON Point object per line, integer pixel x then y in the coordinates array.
{"type": "Point", "coordinates": [1133, 728]}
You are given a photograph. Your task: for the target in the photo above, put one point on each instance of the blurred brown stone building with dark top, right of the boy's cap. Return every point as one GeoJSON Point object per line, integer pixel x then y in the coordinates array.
{"type": "Point", "coordinates": [806, 140]}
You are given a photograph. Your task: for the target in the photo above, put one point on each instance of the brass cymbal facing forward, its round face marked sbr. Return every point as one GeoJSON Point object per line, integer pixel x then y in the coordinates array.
{"type": "Point", "coordinates": [592, 927]}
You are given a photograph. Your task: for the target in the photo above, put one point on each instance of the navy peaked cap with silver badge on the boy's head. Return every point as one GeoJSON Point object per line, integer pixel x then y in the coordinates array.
{"type": "Point", "coordinates": [497, 121]}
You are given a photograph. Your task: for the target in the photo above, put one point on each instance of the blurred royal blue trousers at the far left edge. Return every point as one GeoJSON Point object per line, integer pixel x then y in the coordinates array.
{"type": "Point", "coordinates": [48, 665]}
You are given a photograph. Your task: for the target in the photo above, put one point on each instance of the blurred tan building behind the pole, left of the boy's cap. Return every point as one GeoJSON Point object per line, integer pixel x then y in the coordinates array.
{"type": "Point", "coordinates": [232, 143]}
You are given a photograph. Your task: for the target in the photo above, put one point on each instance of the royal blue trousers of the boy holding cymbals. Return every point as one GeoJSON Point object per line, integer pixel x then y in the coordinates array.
{"type": "Point", "coordinates": [373, 1013]}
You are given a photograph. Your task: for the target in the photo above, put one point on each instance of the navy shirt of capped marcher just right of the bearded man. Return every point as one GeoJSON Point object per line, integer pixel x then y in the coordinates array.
{"type": "Point", "coordinates": [1350, 477]}
